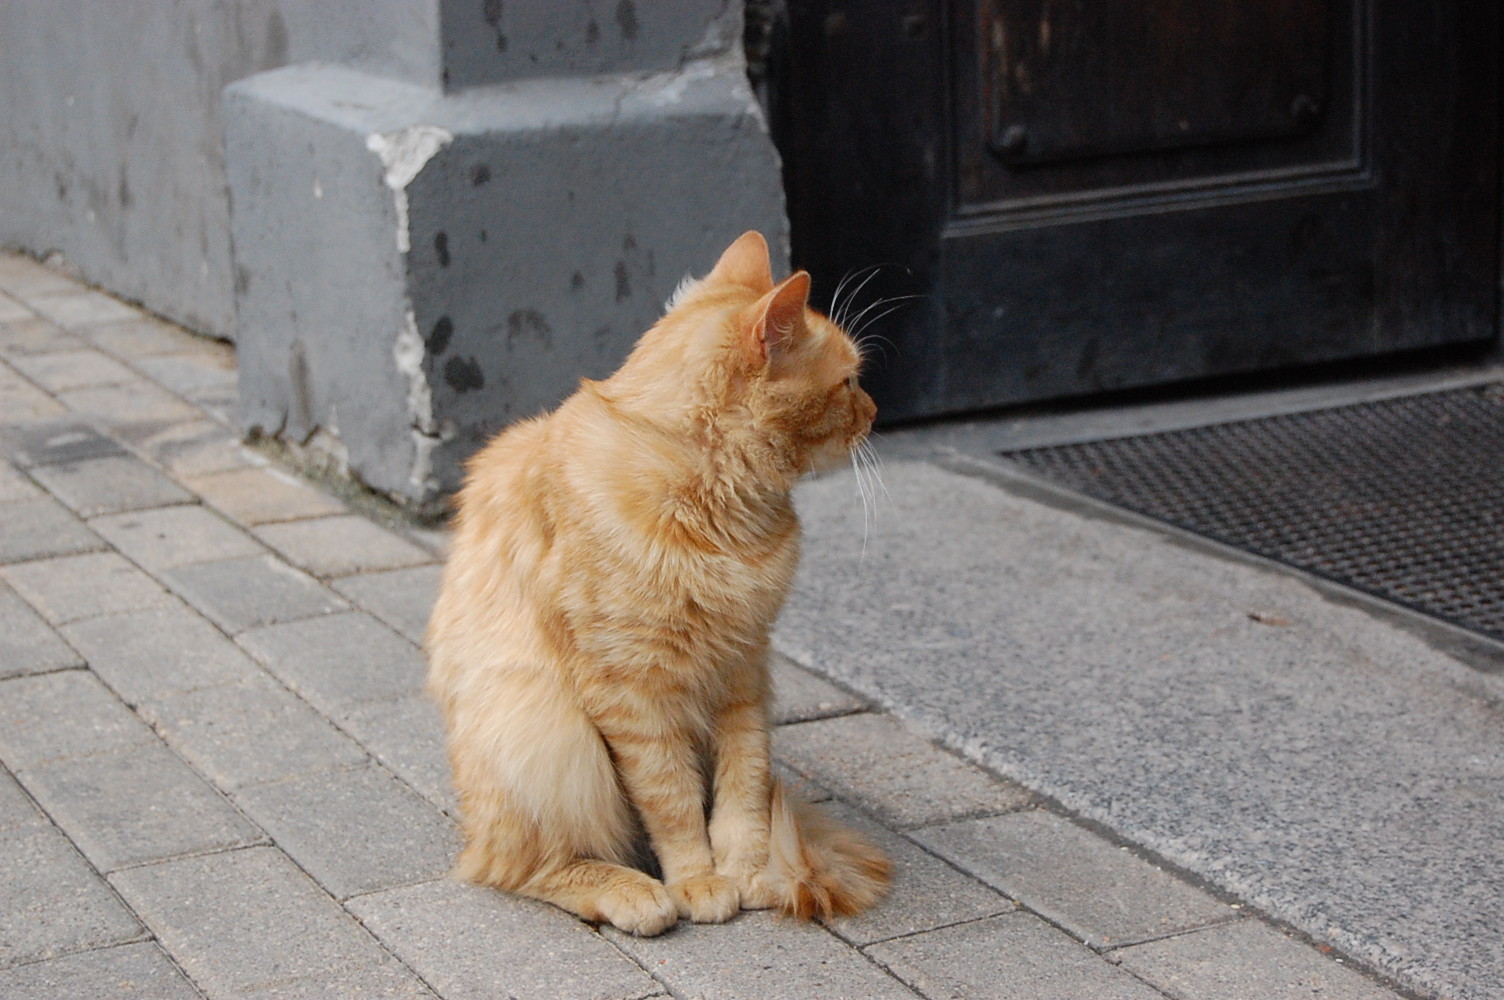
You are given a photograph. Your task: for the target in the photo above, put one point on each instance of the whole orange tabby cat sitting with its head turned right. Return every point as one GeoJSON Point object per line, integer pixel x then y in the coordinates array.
{"type": "Point", "coordinates": [599, 647]}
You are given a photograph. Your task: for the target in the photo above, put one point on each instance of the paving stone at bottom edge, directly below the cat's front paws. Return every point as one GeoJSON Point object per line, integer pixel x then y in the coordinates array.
{"type": "Point", "coordinates": [759, 956]}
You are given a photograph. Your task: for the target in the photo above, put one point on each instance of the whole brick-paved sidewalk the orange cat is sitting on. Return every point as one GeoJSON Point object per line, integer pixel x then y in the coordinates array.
{"type": "Point", "coordinates": [222, 778]}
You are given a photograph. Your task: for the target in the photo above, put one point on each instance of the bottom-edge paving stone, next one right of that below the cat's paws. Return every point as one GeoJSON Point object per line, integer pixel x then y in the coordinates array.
{"type": "Point", "coordinates": [1014, 957]}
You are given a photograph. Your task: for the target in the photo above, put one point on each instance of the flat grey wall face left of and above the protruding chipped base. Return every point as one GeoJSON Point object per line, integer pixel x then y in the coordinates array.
{"type": "Point", "coordinates": [111, 127]}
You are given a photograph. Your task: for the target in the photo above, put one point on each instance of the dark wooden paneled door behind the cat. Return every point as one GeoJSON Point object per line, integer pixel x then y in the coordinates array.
{"type": "Point", "coordinates": [1099, 195]}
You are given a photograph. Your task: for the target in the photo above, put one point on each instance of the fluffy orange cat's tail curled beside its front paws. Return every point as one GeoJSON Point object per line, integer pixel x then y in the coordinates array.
{"type": "Point", "coordinates": [819, 868]}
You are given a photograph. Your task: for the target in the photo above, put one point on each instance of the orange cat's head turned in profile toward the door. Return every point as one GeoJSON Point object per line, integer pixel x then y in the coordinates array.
{"type": "Point", "coordinates": [753, 360]}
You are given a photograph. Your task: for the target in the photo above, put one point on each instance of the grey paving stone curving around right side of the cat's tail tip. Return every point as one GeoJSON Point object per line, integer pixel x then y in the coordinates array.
{"type": "Point", "coordinates": [927, 894]}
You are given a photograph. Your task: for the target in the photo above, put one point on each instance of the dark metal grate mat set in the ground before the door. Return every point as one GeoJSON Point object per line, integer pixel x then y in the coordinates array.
{"type": "Point", "coordinates": [1401, 498]}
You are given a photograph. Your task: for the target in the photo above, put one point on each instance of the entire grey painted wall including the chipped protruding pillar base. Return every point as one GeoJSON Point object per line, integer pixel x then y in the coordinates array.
{"type": "Point", "coordinates": [417, 219]}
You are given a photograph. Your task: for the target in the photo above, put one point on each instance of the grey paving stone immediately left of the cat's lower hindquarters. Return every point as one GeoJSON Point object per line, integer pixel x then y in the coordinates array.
{"type": "Point", "coordinates": [356, 831]}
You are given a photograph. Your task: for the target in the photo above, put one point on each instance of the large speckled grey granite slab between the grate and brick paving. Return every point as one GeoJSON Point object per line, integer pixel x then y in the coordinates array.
{"type": "Point", "coordinates": [1336, 772]}
